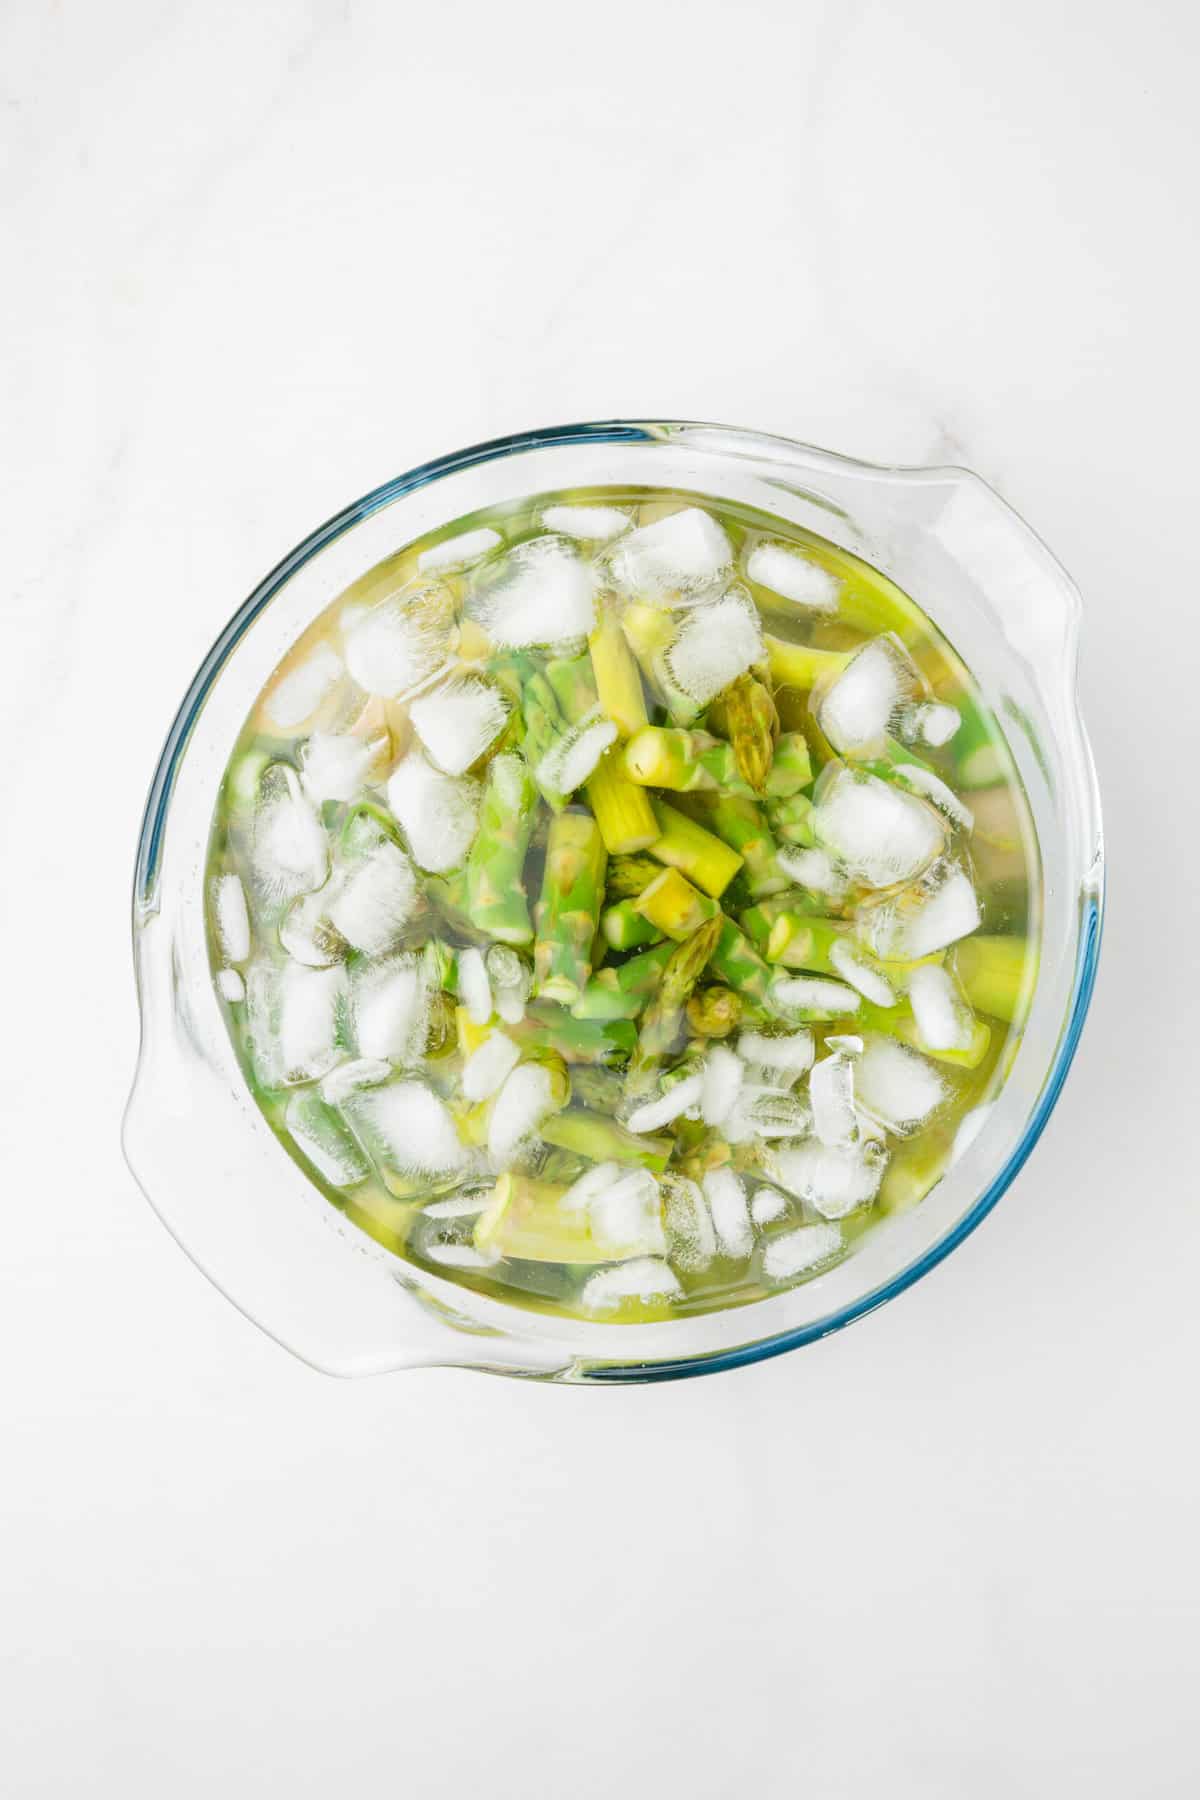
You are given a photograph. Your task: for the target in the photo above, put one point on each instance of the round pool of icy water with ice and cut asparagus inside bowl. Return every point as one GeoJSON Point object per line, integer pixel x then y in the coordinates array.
{"type": "Point", "coordinates": [623, 903]}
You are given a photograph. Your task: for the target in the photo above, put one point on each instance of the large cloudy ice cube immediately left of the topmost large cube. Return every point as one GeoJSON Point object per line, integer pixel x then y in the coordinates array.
{"type": "Point", "coordinates": [542, 593]}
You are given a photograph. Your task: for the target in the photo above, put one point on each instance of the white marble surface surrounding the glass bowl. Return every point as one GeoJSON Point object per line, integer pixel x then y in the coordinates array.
{"type": "Point", "coordinates": [264, 256]}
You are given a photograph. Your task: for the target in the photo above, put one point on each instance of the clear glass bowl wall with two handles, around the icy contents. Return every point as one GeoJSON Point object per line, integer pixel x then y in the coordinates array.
{"type": "Point", "coordinates": [193, 1135]}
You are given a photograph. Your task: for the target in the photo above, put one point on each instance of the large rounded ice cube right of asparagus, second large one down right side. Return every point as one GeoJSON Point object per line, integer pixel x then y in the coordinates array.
{"type": "Point", "coordinates": [879, 832]}
